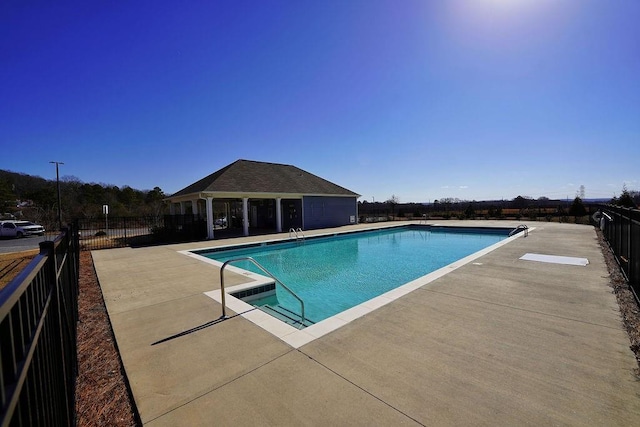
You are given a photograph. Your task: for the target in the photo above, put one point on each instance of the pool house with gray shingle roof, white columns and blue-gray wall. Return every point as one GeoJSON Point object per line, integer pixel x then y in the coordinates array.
{"type": "Point", "coordinates": [266, 196]}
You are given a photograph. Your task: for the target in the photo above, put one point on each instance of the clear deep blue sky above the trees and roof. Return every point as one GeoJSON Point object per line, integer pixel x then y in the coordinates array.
{"type": "Point", "coordinates": [477, 99]}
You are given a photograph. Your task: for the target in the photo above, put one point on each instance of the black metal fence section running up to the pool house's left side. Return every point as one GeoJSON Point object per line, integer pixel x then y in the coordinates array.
{"type": "Point", "coordinates": [119, 232]}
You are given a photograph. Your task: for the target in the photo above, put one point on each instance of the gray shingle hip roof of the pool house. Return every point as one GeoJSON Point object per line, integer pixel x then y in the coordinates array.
{"type": "Point", "coordinates": [247, 176]}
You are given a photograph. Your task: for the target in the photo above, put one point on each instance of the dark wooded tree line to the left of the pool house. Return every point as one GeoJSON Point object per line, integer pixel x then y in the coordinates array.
{"type": "Point", "coordinates": [36, 199]}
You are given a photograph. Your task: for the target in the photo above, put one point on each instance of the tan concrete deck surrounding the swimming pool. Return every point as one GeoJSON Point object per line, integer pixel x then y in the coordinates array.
{"type": "Point", "coordinates": [497, 341]}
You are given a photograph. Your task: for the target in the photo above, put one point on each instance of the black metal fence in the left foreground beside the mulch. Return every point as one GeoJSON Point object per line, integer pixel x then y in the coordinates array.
{"type": "Point", "coordinates": [38, 326]}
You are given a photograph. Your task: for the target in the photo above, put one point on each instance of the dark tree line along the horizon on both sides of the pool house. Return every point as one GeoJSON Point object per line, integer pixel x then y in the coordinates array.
{"type": "Point", "coordinates": [35, 198]}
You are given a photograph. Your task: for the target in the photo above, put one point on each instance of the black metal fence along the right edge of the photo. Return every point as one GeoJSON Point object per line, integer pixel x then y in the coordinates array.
{"type": "Point", "coordinates": [621, 227]}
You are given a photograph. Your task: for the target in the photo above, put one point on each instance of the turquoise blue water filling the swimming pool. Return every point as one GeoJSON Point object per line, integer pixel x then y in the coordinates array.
{"type": "Point", "coordinates": [332, 274]}
